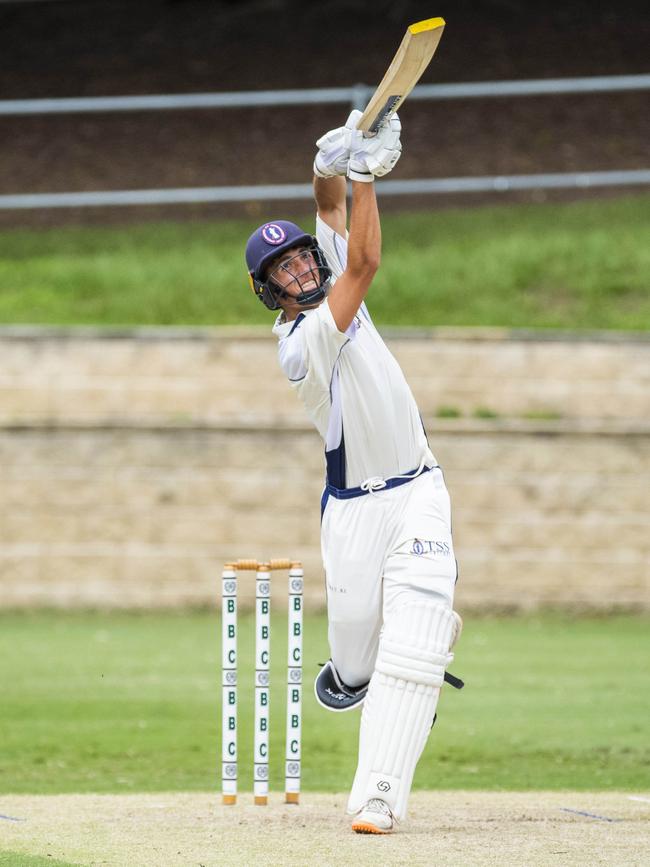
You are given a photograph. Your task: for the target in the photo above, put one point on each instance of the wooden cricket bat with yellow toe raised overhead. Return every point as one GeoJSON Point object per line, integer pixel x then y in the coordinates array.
{"type": "Point", "coordinates": [412, 58]}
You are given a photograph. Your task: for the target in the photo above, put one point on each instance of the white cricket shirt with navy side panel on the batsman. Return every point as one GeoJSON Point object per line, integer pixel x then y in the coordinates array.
{"type": "Point", "coordinates": [352, 387]}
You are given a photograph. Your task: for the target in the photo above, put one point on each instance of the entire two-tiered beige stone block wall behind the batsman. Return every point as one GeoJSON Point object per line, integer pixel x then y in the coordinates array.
{"type": "Point", "coordinates": [132, 467]}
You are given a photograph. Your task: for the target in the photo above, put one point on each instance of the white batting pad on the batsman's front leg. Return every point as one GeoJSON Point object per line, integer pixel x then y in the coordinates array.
{"type": "Point", "coordinates": [401, 703]}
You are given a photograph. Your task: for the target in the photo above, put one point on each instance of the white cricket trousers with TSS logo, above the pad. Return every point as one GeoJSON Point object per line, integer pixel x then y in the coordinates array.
{"type": "Point", "coordinates": [382, 550]}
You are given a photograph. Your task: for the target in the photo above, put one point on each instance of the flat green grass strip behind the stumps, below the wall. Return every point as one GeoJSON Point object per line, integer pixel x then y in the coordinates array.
{"type": "Point", "coordinates": [124, 702]}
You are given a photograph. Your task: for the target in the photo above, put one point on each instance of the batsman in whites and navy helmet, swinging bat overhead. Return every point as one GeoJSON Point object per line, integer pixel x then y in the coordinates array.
{"type": "Point", "coordinates": [386, 523]}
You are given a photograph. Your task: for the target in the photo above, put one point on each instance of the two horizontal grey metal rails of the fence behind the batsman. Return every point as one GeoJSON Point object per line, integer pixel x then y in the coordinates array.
{"type": "Point", "coordinates": [357, 96]}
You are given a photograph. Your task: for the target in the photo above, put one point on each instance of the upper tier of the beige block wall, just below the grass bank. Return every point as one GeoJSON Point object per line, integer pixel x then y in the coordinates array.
{"type": "Point", "coordinates": [208, 376]}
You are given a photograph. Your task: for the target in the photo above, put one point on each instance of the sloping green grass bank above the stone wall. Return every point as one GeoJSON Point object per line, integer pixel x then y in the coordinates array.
{"type": "Point", "coordinates": [570, 266]}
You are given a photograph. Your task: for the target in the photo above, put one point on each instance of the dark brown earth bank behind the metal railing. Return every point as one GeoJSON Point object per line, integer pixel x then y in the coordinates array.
{"type": "Point", "coordinates": [71, 48]}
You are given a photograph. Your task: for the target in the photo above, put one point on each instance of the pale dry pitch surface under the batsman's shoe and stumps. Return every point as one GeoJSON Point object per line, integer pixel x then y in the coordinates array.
{"type": "Point", "coordinates": [445, 828]}
